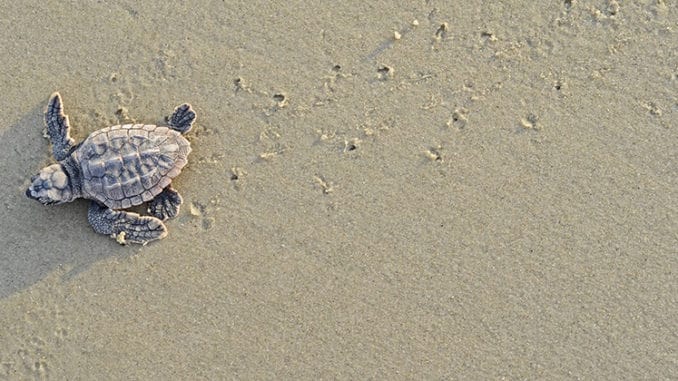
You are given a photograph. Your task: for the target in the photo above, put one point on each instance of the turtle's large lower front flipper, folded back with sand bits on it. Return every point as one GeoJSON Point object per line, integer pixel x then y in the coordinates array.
{"type": "Point", "coordinates": [125, 226]}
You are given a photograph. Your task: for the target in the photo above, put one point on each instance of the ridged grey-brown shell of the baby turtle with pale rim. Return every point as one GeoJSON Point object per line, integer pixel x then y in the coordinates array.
{"type": "Point", "coordinates": [127, 165]}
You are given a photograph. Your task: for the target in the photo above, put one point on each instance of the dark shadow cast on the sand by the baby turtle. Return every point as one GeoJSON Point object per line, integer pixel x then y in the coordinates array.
{"type": "Point", "coordinates": [36, 240]}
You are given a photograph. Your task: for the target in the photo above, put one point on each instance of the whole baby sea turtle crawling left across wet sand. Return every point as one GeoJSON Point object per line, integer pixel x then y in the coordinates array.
{"type": "Point", "coordinates": [117, 167]}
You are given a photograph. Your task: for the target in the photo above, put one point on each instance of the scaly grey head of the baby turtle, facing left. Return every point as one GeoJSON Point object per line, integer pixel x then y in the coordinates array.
{"type": "Point", "coordinates": [50, 186]}
